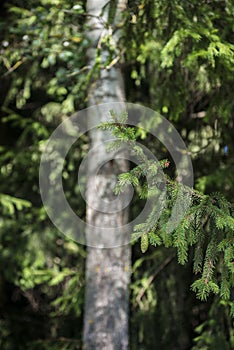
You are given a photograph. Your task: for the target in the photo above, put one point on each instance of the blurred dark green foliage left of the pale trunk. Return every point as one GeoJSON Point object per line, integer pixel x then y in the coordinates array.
{"type": "Point", "coordinates": [42, 272]}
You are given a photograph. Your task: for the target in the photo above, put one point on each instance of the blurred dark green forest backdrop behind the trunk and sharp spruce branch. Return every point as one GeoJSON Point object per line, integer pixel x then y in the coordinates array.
{"type": "Point", "coordinates": [177, 57]}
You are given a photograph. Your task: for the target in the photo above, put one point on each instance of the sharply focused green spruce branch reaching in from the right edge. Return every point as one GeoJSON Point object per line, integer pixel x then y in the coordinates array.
{"type": "Point", "coordinates": [206, 230]}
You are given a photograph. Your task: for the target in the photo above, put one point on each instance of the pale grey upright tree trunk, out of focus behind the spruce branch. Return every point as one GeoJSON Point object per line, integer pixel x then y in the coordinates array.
{"type": "Point", "coordinates": [107, 269]}
